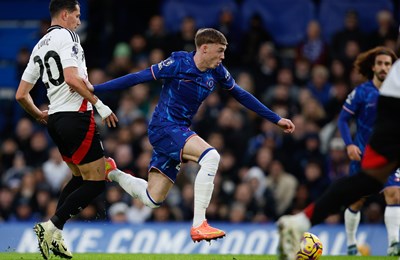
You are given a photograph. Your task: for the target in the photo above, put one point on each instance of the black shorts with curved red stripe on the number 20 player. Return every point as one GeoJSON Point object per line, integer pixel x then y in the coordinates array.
{"type": "Point", "coordinates": [76, 136]}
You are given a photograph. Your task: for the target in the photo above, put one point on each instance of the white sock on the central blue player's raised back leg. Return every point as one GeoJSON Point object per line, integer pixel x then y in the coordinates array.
{"type": "Point", "coordinates": [136, 187]}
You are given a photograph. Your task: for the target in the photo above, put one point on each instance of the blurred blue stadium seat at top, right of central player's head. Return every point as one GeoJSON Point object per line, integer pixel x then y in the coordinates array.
{"type": "Point", "coordinates": [285, 20]}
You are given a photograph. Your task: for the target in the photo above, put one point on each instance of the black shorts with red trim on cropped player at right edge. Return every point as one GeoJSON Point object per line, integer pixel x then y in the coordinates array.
{"type": "Point", "coordinates": [384, 145]}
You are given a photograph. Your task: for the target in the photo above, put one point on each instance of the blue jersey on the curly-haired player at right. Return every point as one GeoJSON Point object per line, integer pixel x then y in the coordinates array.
{"type": "Point", "coordinates": [362, 104]}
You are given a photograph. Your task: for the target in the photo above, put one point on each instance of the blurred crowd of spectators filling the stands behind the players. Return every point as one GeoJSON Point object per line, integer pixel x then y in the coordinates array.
{"type": "Point", "coordinates": [263, 172]}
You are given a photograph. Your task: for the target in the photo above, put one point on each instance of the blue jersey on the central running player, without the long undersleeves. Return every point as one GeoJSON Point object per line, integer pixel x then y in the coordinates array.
{"type": "Point", "coordinates": [185, 87]}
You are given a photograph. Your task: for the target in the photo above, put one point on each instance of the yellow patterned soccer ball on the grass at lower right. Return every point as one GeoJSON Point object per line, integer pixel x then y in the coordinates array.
{"type": "Point", "coordinates": [310, 247]}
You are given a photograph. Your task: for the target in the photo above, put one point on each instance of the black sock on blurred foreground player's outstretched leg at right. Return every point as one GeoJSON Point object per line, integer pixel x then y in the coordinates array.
{"type": "Point", "coordinates": [344, 192]}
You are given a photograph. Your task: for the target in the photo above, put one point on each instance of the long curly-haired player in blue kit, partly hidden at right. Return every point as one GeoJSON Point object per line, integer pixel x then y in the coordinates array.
{"type": "Point", "coordinates": [361, 106]}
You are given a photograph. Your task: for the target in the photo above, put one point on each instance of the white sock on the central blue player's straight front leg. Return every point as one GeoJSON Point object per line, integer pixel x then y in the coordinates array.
{"type": "Point", "coordinates": [204, 185]}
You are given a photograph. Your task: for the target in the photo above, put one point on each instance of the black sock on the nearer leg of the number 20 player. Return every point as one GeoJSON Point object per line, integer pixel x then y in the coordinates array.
{"type": "Point", "coordinates": [77, 201]}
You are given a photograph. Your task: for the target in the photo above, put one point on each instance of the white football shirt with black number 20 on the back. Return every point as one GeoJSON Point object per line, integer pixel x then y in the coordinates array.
{"type": "Point", "coordinates": [60, 48]}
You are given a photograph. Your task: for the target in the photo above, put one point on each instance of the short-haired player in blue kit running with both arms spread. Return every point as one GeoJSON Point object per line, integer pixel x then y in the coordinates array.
{"type": "Point", "coordinates": [189, 77]}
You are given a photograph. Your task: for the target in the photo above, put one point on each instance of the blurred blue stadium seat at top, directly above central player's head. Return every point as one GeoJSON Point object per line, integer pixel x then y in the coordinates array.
{"type": "Point", "coordinates": [205, 13]}
